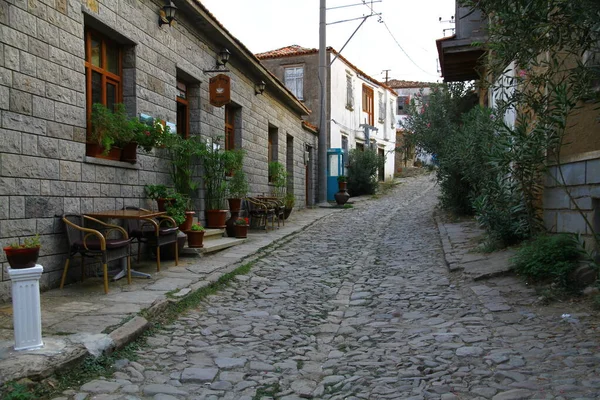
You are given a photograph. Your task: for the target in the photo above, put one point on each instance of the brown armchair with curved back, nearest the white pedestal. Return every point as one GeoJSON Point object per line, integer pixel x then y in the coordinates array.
{"type": "Point", "coordinates": [95, 244]}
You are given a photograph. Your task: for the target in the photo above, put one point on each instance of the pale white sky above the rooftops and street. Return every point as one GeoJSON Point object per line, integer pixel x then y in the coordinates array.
{"type": "Point", "coordinates": [264, 25]}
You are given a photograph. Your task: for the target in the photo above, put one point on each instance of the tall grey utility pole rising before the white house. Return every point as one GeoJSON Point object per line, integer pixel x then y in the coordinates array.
{"type": "Point", "coordinates": [323, 127]}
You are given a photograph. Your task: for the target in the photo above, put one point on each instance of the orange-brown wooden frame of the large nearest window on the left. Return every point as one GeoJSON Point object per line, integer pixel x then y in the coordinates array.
{"type": "Point", "coordinates": [106, 76]}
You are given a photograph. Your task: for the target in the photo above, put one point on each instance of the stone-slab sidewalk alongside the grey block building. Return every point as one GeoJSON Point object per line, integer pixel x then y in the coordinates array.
{"type": "Point", "coordinates": [82, 308]}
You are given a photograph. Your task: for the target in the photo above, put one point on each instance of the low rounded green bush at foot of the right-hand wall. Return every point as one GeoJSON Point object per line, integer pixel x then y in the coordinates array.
{"type": "Point", "coordinates": [549, 258]}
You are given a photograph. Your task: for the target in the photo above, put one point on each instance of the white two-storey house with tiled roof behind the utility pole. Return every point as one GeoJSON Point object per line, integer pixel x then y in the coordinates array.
{"type": "Point", "coordinates": [354, 98]}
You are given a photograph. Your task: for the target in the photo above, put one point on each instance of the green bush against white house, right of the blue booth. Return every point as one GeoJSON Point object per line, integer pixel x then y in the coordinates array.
{"type": "Point", "coordinates": [362, 171]}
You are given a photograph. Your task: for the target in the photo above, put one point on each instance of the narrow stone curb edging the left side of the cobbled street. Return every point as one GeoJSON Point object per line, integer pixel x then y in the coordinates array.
{"type": "Point", "coordinates": [40, 366]}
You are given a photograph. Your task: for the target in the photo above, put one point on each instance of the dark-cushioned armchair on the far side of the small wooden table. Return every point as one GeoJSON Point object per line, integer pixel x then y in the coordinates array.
{"type": "Point", "coordinates": [155, 232]}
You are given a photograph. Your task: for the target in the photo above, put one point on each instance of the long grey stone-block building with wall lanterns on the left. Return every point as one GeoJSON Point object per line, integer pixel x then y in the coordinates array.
{"type": "Point", "coordinates": [58, 57]}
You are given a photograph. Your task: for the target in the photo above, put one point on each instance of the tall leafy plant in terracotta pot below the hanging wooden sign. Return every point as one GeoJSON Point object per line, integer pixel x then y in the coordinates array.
{"type": "Point", "coordinates": [217, 163]}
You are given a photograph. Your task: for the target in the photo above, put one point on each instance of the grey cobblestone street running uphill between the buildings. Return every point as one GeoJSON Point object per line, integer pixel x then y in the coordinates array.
{"type": "Point", "coordinates": [362, 306]}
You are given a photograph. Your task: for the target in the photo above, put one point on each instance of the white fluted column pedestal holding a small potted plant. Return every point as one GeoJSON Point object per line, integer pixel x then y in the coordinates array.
{"type": "Point", "coordinates": [27, 315]}
